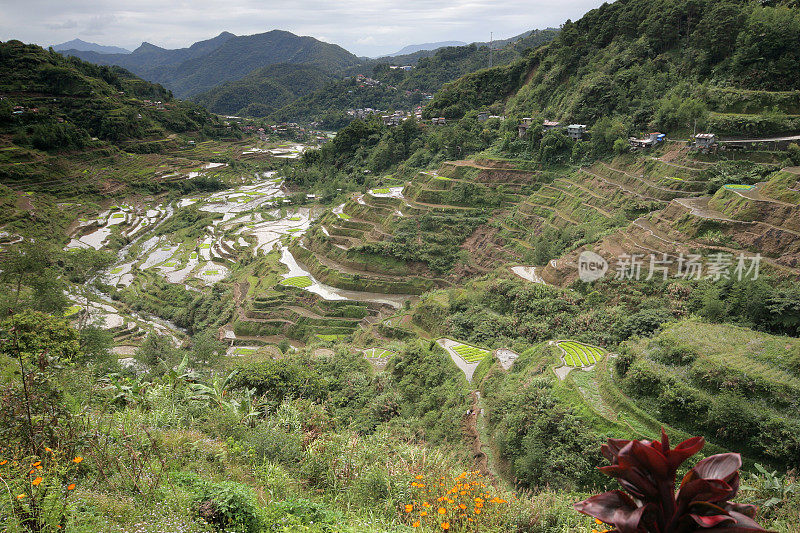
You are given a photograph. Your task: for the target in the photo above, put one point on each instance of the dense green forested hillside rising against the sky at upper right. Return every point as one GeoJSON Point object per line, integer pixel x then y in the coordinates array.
{"type": "Point", "coordinates": [649, 62]}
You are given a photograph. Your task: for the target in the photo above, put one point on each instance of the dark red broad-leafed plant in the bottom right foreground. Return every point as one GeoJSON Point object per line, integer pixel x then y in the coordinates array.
{"type": "Point", "coordinates": [646, 471]}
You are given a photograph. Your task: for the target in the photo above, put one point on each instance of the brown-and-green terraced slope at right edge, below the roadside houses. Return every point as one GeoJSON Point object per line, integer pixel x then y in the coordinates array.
{"type": "Point", "coordinates": [669, 211]}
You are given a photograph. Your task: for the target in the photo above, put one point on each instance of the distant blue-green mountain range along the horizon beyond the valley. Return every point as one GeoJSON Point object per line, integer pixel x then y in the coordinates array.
{"type": "Point", "coordinates": [258, 75]}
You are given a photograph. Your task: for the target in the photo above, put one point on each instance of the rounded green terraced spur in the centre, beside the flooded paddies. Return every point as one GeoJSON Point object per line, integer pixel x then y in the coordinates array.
{"type": "Point", "coordinates": [419, 234]}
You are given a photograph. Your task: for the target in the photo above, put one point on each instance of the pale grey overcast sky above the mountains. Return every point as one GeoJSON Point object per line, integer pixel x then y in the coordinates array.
{"type": "Point", "coordinates": [364, 27]}
